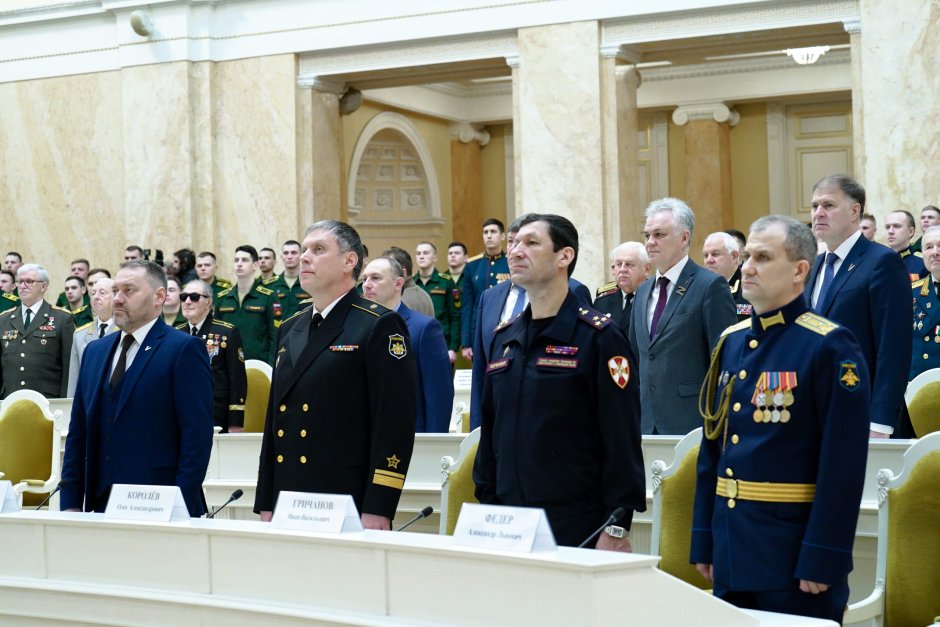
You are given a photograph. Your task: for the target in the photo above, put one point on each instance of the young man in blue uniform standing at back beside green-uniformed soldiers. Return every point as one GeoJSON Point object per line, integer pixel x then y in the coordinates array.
{"type": "Point", "coordinates": [481, 273]}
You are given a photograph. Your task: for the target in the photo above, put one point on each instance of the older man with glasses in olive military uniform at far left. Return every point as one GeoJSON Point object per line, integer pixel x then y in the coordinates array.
{"type": "Point", "coordinates": [35, 339]}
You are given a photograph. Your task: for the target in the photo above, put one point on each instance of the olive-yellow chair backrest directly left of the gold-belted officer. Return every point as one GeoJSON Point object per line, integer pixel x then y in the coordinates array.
{"type": "Point", "coordinates": [673, 501]}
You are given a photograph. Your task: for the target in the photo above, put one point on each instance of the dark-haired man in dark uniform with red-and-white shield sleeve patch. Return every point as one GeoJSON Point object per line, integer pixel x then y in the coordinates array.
{"type": "Point", "coordinates": [561, 406]}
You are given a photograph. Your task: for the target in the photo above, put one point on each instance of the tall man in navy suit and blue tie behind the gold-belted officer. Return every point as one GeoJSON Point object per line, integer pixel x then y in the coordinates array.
{"type": "Point", "coordinates": [865, 287]}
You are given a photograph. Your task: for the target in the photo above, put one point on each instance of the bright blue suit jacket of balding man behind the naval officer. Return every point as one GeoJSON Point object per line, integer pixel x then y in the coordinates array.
{"type": "Point", "coordinates": [435, 384]}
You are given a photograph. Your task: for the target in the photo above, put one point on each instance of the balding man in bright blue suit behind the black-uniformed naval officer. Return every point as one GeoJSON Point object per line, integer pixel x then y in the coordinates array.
{"type": "Point", "coordinates": [383, 280]}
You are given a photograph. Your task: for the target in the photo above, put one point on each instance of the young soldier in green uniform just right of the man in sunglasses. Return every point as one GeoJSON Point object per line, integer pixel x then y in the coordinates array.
{"type": "Point", "coordinates": [250, 307]}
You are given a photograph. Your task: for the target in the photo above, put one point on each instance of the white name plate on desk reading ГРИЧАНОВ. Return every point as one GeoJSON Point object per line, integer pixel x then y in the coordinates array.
{"type": "Point", "coordinates": [309, 511]}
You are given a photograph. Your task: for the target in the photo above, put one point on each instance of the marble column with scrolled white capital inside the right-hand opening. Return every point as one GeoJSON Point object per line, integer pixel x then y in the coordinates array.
{"type": "Point", "coordinates": [707, 129]}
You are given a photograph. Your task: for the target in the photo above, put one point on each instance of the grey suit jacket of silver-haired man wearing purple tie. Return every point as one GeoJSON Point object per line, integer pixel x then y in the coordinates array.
{"type": "Point", "coordinates": [673, 364]}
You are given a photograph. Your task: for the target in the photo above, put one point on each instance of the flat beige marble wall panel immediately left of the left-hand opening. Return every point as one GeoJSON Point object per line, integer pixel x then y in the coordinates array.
{"type": "Point", "coordinates": [255, 155]}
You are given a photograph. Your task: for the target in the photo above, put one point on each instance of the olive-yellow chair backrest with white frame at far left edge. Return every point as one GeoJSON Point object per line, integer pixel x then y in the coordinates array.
{"type": "Point", "coordinates": [26, 441]}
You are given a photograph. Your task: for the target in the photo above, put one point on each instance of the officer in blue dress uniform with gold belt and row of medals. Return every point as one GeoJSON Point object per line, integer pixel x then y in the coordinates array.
{"type": "Point", "coordinates": [782, 460]}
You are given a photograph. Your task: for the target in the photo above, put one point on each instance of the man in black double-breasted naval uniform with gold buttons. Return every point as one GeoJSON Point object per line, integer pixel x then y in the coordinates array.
{"type": "Point", "coordinates": [341, 414]}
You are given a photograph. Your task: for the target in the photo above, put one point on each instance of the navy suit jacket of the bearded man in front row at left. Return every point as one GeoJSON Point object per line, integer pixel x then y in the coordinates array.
{"type": "Point", "coordinates": [163, 418]}
